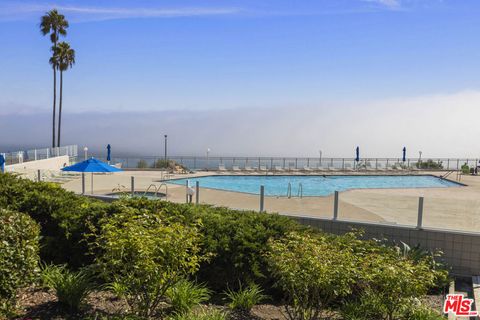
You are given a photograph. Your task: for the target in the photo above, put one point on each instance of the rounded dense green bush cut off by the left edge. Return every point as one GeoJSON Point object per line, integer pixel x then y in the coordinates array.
{"type": "Point", "coordinates": [19, 236]}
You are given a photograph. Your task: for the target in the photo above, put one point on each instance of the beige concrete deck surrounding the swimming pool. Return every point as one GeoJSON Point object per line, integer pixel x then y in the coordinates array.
{"type": "Point", "coordinates": [455, 208]}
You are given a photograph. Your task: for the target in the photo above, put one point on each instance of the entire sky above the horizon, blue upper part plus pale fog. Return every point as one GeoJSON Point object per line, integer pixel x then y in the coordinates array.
{"type": "Point", "coordinates": [334, 73]}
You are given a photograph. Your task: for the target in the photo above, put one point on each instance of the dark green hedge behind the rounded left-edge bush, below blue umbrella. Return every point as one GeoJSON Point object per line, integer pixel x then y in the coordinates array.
{"type": "Point", "coordinates": [64, 217]}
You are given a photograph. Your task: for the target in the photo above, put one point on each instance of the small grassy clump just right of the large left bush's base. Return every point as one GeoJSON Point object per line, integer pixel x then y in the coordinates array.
{"type": "Point", "coordinates": [185, 295]}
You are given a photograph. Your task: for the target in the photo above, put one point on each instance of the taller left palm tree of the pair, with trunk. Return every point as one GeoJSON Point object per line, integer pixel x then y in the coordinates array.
{"type": "Point", "coordinates": [56, 25]}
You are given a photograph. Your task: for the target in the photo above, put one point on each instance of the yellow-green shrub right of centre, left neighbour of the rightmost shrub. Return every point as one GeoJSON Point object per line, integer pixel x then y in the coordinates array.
{"type": "Point", "coordinates": [311, 272]}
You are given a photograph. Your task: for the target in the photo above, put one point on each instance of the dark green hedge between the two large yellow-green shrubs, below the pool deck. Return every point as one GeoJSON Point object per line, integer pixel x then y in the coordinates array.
{"type": "Point", "coordinates": [235, 240]}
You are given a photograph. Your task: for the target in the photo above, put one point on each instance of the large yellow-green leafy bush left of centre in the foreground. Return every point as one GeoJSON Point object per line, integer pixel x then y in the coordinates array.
{"type": "Point", "coordinates": [146, 254]}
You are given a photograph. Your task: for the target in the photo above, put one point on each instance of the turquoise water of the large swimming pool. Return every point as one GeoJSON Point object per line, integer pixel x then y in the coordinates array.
{"type": "Point", "coordinates": [314, 185]}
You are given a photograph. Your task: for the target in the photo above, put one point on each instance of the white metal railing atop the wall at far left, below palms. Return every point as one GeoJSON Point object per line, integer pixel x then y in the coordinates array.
{"type": "Point", "coordinates": [39, 154]}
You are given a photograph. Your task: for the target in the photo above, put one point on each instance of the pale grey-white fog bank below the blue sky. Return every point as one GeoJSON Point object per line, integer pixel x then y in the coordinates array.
{"type": "Point", "coordinates": [438, 125]}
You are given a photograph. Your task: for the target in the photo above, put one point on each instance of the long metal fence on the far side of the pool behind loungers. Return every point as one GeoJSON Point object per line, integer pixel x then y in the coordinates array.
{"type": "Point", "coordinates": [291, 163]}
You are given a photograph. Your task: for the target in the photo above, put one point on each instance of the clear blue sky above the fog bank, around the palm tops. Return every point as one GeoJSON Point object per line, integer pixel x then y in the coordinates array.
{"type": "Point", "coordinates": [157, 55]}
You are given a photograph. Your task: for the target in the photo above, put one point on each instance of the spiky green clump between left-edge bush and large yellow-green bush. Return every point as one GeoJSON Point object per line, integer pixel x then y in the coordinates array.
{"type": "Point", "coordinates": [71, 288]}
